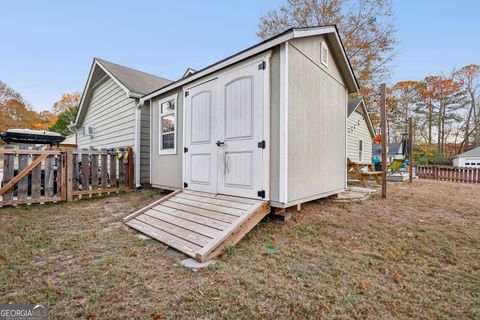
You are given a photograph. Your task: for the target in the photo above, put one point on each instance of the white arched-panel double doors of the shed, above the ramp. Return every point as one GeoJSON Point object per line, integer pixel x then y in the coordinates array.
{"type": "Point", "coordinates": [224, 134]}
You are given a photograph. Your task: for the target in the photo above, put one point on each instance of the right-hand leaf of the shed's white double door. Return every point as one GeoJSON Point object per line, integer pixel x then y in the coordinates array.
{"type": "Point", "coordinates": [241, 130]}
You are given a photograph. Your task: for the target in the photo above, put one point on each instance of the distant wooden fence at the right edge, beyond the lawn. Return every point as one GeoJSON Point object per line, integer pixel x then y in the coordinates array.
{"type": "Point", "coordinates": [446, 173]}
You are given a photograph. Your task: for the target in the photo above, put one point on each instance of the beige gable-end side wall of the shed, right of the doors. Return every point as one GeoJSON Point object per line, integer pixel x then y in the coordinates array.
{"type": "Point", "coordinates": [317, 102]}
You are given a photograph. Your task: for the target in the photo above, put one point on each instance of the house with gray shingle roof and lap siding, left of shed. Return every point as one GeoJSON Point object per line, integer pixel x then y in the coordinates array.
{"type": "Point", "coordinates": [110, 116]}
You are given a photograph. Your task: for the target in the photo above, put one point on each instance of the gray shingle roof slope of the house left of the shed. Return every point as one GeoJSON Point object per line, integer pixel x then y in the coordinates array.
{"type": "Point", "coordinates": [135, 81]}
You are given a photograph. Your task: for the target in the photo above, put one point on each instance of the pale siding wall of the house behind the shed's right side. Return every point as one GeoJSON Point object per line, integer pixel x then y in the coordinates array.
{"type": "Point", "coordinates": [357, 124]}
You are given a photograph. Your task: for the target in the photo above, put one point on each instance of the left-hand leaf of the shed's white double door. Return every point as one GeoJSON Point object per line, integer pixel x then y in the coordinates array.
{"type": "Point", "coordinates": [200, 122]}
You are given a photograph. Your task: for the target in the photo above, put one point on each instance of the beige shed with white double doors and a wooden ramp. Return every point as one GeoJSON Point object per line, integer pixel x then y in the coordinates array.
{"type": "Point", "coordinates": [266, 123]}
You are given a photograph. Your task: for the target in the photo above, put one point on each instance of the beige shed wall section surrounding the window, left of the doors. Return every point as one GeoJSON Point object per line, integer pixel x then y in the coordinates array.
{"type": "Point", "coordinates": [167, 168]}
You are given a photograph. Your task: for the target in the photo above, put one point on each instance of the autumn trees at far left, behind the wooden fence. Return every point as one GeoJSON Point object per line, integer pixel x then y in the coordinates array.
{"type": "Point", "coordinates": [16, 113]}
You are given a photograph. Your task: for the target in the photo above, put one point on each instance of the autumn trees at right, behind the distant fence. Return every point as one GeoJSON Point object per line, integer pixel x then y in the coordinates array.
{"type": "Point", "coordinates": [445, 109]}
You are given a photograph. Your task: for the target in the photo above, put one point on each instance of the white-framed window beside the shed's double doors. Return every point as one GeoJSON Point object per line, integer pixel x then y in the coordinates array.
{"type": "Point", "coordinates": [168, 125]}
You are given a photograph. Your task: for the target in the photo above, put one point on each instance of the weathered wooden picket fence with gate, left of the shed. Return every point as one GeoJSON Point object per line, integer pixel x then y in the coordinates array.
{"type": "Point", "coordinates": [31, 176]}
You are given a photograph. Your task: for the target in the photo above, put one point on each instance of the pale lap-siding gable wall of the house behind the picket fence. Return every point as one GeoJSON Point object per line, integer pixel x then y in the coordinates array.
{"type": "Point", "coordinates": [112, 115]}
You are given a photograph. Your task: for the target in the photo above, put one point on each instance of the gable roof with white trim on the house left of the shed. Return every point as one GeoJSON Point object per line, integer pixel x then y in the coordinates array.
{"type": "Point", "coordinates": [135, 83]}
